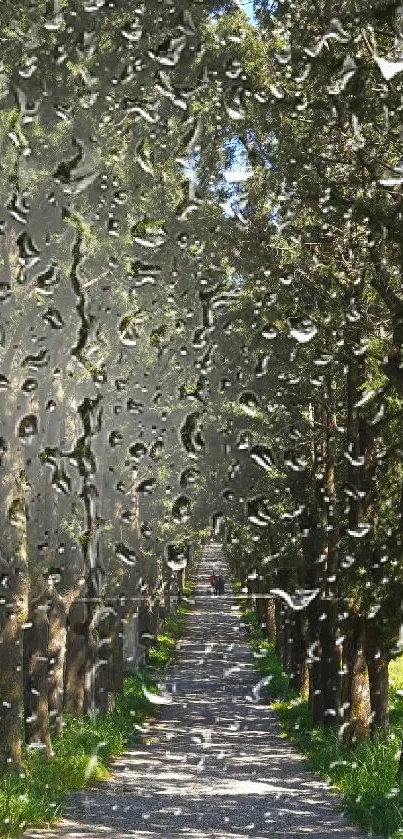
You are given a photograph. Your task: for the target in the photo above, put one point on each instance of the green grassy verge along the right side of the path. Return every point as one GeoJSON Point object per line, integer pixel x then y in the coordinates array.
{"type": "Point", "coordinates": [366, 775]}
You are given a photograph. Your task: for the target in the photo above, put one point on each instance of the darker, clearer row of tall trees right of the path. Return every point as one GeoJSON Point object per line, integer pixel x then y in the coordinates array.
{"type": "Point", "coordinates": [317, 420]}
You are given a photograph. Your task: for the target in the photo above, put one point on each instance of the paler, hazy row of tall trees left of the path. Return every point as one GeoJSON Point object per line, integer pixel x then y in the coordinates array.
{"type": "Point", "coordinates": [108, 267]}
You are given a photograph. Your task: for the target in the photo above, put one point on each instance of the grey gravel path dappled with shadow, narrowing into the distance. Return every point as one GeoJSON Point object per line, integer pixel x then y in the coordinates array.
{"type": "Point", "coordinates": [213, 765]}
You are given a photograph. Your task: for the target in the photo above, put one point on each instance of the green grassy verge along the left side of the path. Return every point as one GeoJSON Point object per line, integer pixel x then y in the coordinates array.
{"type": "Point", "coordinates": [83, 754]}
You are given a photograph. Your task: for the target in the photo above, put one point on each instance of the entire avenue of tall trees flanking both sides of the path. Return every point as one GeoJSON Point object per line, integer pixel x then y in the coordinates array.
{"type": "Point", "coordinates": [201, 320]}
